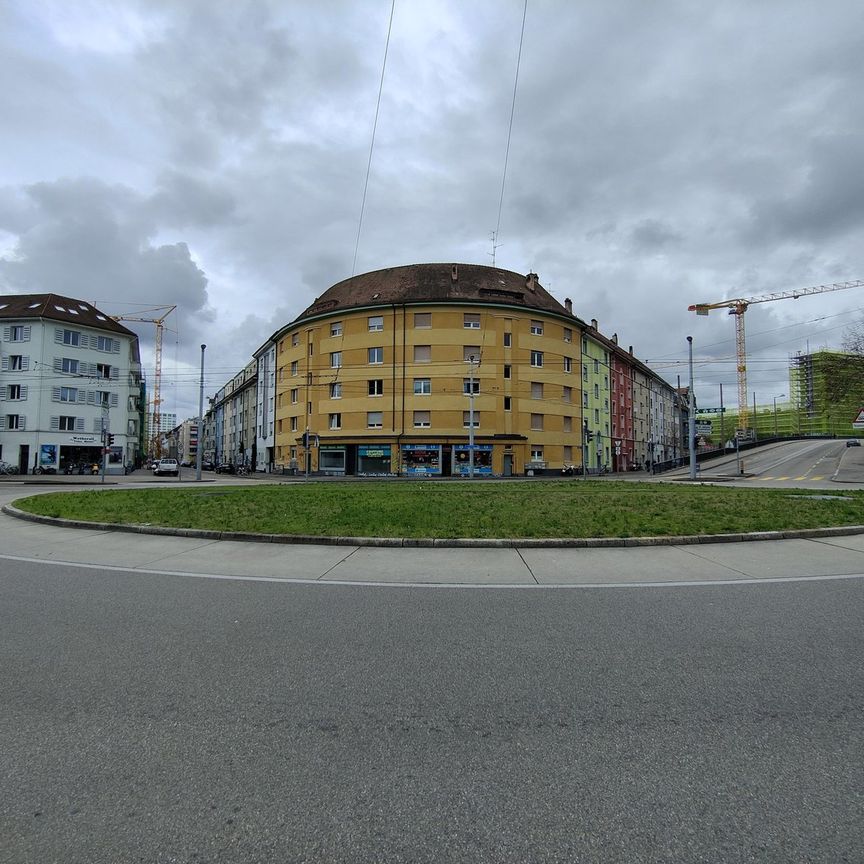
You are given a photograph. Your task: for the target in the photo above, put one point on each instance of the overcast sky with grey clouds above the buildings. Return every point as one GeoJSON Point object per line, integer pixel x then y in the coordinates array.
{"type": "Point", "coordinates": [213, 155]}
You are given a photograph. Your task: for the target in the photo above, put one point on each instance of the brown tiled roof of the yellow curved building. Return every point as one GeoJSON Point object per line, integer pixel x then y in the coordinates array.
{"type": "Point", "coordinates": [431, 283]}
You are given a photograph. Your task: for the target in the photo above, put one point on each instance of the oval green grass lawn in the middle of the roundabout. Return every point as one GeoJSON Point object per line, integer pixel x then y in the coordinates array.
{"type": "Point", "coordinates": [446, 510]}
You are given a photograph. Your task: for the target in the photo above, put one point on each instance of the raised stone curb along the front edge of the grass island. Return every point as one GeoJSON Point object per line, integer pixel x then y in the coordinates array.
{"type": "Point", "coordinates": [442, 543]}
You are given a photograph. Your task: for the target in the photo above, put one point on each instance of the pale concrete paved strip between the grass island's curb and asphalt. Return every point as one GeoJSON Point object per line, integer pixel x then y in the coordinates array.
{"type": "Point", "coordinates": [734, 562]}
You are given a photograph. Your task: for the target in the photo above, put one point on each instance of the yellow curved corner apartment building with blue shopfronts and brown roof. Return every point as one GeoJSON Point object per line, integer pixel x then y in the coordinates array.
{"type": "Point", "coordinates": [380, 370]}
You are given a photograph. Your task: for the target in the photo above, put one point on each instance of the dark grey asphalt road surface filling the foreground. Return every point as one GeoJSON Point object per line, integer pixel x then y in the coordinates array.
{"type": "Point", "coordinates": [170, 719]}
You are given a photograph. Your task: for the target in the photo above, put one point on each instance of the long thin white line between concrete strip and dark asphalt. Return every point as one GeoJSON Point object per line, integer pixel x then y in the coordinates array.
{"type": "Point", "coordinates": [348, 583]}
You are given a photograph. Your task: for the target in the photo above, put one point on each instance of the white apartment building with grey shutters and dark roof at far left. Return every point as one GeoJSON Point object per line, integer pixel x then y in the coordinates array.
{"type": "Point", "coordinates": [69, 377]}
